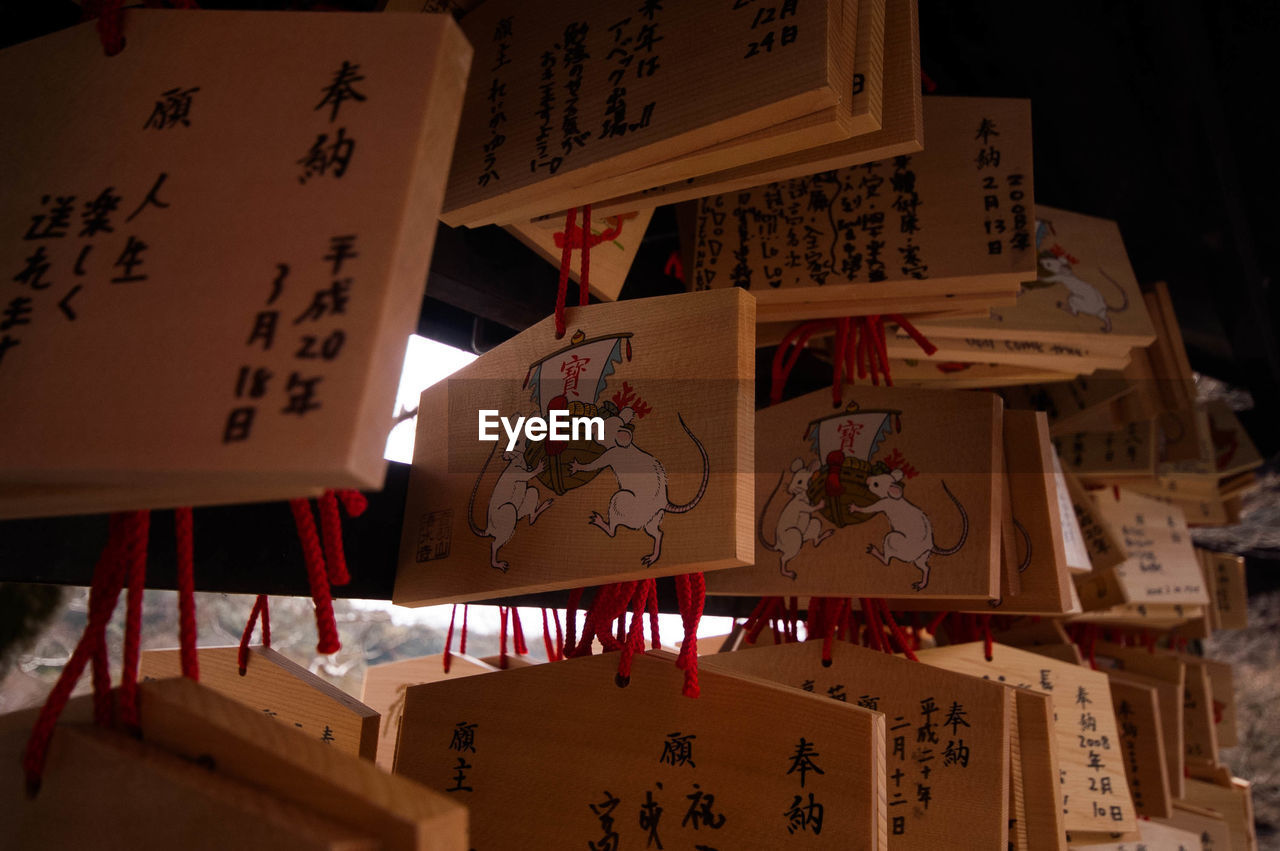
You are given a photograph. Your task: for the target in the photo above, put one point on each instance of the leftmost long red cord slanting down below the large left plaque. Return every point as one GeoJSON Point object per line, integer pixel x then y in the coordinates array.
{"type": "Point", "coordinates": [108, 580]}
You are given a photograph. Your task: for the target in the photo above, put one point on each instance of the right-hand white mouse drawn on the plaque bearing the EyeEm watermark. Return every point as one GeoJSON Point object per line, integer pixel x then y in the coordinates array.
{"type": "Point", "coordinates": [641, 501]}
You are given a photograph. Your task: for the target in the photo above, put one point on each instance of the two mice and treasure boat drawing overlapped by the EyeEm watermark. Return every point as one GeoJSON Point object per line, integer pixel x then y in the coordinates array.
{"type": "Point", "coordinates": [573, 379]}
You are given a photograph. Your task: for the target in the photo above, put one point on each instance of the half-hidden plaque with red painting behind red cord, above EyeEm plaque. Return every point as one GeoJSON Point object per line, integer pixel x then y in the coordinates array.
{"type": "Point", "coordinates": [611, 260]}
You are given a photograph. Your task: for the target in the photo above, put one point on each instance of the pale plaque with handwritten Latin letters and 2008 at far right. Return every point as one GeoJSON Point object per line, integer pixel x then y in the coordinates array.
{"type": "Point", "coordinates": [1162, 566]}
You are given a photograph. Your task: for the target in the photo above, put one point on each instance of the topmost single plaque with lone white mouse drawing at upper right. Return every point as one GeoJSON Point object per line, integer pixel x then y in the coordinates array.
{"type": "Point", "coordinates": [1082, 292]}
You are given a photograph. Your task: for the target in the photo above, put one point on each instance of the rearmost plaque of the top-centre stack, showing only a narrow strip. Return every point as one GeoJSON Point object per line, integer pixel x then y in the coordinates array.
{"type": "Point", "coordinates": [902, 129]}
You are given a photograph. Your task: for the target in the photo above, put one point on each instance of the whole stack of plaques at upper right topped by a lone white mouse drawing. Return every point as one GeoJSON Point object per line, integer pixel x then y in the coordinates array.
{"type": "Point", "coordinates": [1082, 310]}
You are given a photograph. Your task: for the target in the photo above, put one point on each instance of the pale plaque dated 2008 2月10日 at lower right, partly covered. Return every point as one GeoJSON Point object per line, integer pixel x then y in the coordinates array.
{"type": "Point", "coordinates": [1095, 790]}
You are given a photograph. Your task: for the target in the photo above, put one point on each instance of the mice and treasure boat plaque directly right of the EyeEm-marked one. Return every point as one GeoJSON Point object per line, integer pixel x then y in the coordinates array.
{"type": "Point", "coordinates": [902, 484]}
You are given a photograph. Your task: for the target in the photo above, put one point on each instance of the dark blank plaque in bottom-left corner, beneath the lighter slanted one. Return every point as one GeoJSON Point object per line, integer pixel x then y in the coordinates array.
{"type": "Point", "coordinates": [107, 790]}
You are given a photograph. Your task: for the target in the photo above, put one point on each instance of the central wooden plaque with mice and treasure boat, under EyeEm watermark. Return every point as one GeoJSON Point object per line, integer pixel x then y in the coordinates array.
{"type": "Point", "coordinates": [661, 488]}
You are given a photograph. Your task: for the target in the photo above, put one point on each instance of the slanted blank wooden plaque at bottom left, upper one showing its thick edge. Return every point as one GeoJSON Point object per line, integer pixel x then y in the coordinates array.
{"type": "Point", "coordinates": [199, 724]}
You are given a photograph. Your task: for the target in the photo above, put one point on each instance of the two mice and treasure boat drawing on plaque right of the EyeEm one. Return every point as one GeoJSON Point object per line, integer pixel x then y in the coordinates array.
{"type": "Point", "coordinates": [844, 487]}
